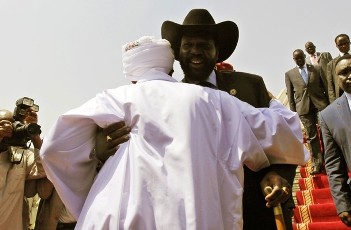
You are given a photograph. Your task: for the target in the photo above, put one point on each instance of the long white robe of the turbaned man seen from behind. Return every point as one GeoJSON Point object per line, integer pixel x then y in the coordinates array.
{"type": "Point", "coordinates": [183, 165]}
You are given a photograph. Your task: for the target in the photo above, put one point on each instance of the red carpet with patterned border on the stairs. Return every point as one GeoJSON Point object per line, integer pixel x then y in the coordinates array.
{"type": "Point", "coordinates": [315, 209]}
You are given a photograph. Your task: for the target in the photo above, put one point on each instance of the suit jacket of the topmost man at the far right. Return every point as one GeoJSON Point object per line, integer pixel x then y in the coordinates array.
{"type": "Point", "coordinates": [332, 80]}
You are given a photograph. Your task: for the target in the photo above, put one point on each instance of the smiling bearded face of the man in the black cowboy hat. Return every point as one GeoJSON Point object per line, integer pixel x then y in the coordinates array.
{"type": "Point", "coordinates": [197, 56]}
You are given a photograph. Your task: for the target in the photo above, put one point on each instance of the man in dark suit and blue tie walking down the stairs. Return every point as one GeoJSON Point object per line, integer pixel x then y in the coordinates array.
{"type": "Point", "coordinates": [307, 96]}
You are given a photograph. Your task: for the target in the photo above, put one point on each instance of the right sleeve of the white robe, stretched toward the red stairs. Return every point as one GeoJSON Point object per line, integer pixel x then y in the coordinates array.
{"type": "Point", "coordinates": [278, 130]}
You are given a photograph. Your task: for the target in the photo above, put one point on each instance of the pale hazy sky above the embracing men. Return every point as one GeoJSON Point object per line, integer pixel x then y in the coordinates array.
{"type": "Point", "coordinates": [61, 53]}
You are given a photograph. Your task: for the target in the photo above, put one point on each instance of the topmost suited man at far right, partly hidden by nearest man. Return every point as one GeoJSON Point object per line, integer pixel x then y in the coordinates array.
{"type": "Point", "coordinates": [342, 42]}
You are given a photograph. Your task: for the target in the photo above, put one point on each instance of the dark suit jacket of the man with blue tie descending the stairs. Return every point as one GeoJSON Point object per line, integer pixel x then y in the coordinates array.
{"type": "Point", "coordinates": [301, 95]}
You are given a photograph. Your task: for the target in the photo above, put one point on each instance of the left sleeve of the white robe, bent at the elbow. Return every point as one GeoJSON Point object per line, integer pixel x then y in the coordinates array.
{"type": "Point", "coordinates": [66, 150]}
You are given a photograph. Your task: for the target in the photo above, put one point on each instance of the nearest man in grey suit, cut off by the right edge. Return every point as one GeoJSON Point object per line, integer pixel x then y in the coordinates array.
{"type": "Point", "coordinates": [335, 123]}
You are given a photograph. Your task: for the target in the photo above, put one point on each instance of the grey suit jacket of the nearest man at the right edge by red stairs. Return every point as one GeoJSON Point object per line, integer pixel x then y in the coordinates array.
{"type": "Point", "coordinates": [335, 123]}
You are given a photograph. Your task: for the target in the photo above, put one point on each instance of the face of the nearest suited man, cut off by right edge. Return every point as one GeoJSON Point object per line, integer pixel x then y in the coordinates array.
{"type": "Point", "coordinates": [343, 71]}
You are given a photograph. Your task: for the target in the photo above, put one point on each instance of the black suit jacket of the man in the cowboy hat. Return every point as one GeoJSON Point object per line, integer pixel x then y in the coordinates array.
{"type": "Point", "coordinates": [251, 89]}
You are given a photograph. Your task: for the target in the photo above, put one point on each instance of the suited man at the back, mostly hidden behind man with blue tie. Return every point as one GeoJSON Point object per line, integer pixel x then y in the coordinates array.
{"type": "Point", "coordinates": [317, 58]}
